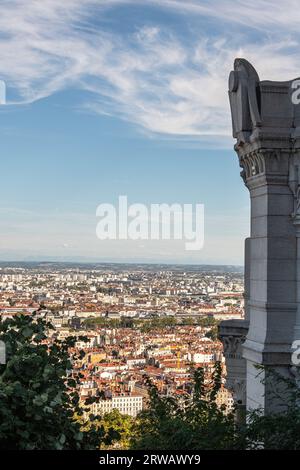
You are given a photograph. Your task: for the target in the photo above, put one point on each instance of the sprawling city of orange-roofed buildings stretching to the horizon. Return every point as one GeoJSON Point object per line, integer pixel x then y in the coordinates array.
{"type": "Point", "coordinates": [137, 321]}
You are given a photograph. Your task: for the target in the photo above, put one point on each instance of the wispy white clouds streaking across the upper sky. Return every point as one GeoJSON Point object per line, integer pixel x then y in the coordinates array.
{"type": "Point", "coordinates": [150, 75]}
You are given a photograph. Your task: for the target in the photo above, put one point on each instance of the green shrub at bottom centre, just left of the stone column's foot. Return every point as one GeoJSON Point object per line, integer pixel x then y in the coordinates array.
{"type": "Point", "coordinates": [187, 423]}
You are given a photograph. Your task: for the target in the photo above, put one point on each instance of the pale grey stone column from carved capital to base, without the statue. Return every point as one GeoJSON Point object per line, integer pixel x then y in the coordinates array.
{"type": "Point", "coordinates": [272, 303]}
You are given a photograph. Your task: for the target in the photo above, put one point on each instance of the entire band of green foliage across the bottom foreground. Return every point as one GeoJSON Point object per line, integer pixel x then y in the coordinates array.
{"type": "Point", "coordinates": [40, 409]}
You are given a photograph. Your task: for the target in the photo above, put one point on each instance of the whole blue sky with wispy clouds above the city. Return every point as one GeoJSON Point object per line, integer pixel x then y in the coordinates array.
{"type": "Point", "coordinates": [117, 97]}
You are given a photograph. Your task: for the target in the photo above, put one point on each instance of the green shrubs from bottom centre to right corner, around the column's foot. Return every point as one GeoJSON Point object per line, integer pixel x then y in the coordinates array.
{"type": "Point", "coordinates": [196, 423]}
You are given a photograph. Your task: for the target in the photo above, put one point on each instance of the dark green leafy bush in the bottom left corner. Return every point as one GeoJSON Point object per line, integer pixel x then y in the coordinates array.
{"type": "Point", "coordinates": [38, 396]}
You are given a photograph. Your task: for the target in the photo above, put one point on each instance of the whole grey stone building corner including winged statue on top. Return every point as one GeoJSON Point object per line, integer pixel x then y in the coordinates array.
{"type": "Point", "coordinates": [266, 126]}
